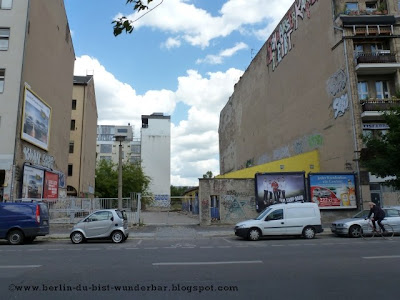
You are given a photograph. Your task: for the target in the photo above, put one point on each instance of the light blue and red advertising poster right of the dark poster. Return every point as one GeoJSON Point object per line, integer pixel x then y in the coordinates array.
{"type": "Point", "coordinates": [333, 190]}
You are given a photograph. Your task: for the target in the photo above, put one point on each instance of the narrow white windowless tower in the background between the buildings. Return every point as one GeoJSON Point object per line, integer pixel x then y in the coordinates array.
{"type": "Point", "coordinates": [156, 156]}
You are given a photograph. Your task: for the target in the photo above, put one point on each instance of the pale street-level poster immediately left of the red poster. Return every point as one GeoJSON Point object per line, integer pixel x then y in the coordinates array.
{"type": "Point", "coordinates": [32, 186]}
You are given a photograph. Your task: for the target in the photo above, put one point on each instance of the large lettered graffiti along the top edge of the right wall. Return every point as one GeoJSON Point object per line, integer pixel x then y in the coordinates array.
{"type": "Point", "coordinates": [280, 42]}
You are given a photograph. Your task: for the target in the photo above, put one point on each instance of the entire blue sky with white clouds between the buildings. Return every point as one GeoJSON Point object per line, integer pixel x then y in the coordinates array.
{"type": "Point", "coordinates": [182, 59]}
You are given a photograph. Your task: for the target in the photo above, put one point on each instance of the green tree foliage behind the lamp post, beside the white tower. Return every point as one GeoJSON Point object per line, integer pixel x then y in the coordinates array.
{"type": "Point", "coordinates": [133, 179]}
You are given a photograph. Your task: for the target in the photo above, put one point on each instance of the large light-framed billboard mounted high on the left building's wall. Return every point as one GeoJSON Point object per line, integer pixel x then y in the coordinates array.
{"type": "Point", "coordinates": [36, 120]}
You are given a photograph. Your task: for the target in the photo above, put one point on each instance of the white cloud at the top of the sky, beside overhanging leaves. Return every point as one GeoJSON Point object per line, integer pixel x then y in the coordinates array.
{"type": "Point", "coordinates": [197, 27]}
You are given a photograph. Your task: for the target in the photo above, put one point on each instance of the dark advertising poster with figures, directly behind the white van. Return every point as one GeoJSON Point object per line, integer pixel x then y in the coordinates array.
{"type": "Point", "coordinates": [272, 188]}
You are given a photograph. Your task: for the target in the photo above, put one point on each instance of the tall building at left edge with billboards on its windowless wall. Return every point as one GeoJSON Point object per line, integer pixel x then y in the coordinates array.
{"type": "Point", "coordinates": [36, 74]}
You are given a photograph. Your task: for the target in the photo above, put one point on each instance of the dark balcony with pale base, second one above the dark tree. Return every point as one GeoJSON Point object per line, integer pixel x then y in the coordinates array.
{"type": "Point", "coordinates": [378, 63]}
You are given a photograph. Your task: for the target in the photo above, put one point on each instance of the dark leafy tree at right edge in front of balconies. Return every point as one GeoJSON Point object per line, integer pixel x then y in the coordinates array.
{"type": "Point", "coordinates": [382, 153]}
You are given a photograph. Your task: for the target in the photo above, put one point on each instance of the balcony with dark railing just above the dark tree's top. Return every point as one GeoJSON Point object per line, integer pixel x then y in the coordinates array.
{"type": "Point", "coordinates": [373, 109]}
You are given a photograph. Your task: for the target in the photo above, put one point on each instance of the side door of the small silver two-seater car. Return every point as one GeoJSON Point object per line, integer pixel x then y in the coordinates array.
{"type": "Point", "coordinates": [99, 224]}
